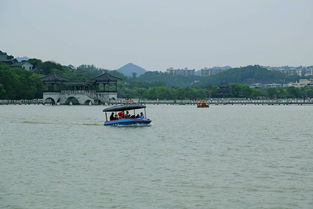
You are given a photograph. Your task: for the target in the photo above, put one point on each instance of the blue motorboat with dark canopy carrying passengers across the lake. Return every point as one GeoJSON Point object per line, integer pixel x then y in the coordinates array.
{"type": "Point", "coordinates": [119, 118]}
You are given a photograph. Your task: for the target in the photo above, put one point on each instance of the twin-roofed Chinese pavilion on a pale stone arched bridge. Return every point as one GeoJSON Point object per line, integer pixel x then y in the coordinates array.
{"type": "Point", "coordinates": [60, 90]}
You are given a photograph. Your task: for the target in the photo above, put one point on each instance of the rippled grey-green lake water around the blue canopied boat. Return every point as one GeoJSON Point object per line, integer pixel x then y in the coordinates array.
{"type": "Point", "coordinates": [219, 157]}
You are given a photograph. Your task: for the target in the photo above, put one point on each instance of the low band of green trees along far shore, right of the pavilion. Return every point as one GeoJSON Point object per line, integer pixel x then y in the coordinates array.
{"type": "Point", "coordinates": [226, 91]}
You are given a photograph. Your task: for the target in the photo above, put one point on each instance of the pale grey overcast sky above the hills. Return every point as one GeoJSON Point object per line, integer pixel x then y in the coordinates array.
{"type": "Point", "coordinates": [158, 34]}
